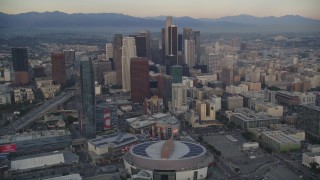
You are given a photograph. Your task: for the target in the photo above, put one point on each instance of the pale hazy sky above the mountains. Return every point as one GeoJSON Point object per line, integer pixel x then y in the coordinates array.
{"type": "Point", "coordinates": [193, 8]}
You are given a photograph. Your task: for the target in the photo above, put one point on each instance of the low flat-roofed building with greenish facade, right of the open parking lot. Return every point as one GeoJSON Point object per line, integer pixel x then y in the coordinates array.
{"type": "Point", "coordinates": [279, 141]}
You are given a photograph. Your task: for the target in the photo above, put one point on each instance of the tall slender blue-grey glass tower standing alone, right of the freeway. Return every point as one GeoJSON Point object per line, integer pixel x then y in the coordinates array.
{"type": "Point", "coordinates": [88, 124]}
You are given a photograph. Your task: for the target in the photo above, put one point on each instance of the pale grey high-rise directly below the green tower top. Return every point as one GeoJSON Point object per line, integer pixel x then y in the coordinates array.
{"type": "Point", "coordinates": [179, 95]}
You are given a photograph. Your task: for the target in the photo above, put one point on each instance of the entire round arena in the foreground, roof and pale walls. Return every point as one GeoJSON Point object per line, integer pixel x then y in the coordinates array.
{"type": "Point", "coordinates": [172, 160]}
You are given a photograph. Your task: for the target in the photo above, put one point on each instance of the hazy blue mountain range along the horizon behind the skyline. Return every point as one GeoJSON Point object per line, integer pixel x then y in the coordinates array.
{"type": "Point", "coordinates": [246, 23]}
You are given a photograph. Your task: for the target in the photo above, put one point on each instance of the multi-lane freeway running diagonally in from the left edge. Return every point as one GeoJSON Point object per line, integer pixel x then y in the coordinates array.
{"type": "Point", "coordinates": [35, 113]}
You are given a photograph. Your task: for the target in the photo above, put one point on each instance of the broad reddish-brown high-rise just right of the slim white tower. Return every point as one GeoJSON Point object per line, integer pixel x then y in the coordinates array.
{"type": "Point", "coordinates": [139, 70]}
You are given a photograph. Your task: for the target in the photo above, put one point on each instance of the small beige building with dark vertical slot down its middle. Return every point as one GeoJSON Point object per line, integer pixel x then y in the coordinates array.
{"type": "Point", "coordinates": [206, 111]}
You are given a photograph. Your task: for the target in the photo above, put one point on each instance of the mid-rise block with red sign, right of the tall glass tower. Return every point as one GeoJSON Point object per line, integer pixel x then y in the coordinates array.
{"type": "Point", "coordinates": [106, 117]}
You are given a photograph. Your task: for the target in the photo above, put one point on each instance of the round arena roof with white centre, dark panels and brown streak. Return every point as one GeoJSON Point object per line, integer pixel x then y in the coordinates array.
{"type": "Point", "coordinates": [167, 155]}
